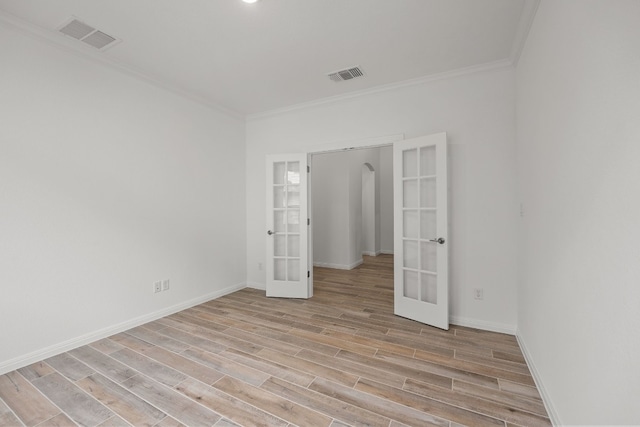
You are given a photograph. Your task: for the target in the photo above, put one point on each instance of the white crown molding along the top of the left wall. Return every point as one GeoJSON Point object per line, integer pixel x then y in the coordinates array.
{"type": "Point", "coordinates": [69, 46]}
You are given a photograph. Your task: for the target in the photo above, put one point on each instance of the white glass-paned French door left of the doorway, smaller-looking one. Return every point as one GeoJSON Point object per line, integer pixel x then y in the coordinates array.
{"type": "Point", "coordinates": [287, 227]}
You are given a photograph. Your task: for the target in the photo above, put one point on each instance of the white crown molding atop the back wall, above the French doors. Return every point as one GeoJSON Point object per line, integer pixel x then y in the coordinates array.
{"type": "Point", "coordinates": [504, 63]}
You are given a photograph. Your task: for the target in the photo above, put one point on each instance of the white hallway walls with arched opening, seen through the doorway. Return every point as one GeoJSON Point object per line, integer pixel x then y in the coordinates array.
{"type": "Point", "coordinates": [351, 206]}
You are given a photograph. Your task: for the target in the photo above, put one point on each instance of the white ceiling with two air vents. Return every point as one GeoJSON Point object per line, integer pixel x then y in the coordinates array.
{"type": "Point", "coordinates": [274, 54]}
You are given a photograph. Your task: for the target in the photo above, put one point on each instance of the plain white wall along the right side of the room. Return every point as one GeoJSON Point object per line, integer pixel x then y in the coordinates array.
{"type": "Point", "coordinates": [579, 166]}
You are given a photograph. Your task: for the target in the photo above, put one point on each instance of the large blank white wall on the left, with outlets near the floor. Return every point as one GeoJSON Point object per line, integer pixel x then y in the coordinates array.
{"type": "Point", "coordinates": [107, 184]}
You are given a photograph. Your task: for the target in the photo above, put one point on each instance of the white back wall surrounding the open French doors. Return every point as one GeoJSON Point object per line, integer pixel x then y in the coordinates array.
{"type": "Point", "coordinates": [478, 112]}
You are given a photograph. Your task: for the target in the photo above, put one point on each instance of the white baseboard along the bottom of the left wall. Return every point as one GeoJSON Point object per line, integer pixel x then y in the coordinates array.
{"type": "Point", "coordinates": [45, 353]}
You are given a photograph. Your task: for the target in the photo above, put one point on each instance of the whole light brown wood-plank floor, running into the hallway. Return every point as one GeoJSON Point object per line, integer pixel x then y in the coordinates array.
{"type": "Point", "coordinates": [340, 358]}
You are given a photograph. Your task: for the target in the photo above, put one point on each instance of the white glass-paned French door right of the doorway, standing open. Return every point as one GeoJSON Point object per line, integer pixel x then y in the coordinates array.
{"type": "Point", "coordinates": [421, 289]}
